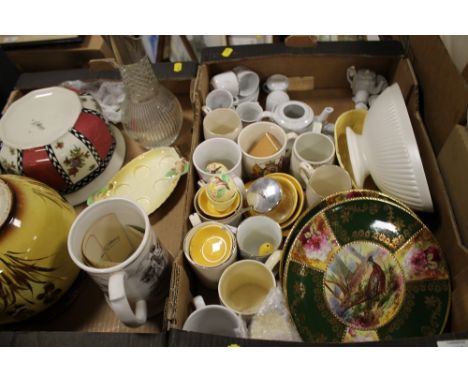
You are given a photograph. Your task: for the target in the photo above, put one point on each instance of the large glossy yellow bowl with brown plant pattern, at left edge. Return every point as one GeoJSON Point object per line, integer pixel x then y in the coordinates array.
{"type": "Point", "coordinates": [35, 268]}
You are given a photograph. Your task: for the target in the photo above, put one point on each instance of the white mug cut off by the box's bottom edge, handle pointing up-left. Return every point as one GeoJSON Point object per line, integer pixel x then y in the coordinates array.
{"type": "Point", "coordinates": [214, 319]}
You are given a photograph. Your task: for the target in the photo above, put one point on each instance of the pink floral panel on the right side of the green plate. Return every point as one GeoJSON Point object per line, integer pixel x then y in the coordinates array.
{"type": "Point", "coordinates": [422, 258]}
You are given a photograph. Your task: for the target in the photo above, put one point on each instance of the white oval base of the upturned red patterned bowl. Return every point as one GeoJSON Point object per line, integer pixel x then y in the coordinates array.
{"type": "Point", "coordinates": [40, 118]}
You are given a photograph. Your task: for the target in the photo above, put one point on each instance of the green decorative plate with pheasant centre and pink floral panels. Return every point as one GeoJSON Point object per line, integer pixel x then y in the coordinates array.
{"type": "Point", "coordinates": [365, 269]}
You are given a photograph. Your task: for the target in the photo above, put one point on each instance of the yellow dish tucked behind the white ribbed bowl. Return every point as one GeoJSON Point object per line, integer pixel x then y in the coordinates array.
{"type": "Point", "coordinates": [355, 120]}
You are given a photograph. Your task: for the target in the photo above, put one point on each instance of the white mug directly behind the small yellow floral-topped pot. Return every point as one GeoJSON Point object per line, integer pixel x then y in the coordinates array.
{"type": "Point", "coordinates": [221, 150]}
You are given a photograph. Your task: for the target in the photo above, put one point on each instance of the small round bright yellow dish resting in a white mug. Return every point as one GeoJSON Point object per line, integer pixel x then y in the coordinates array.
{"type": "Point", "coordinates": [210, 245]}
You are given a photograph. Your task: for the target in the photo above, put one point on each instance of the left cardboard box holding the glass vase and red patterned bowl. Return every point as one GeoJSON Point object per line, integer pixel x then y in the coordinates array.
{"type": "Point", "coordinates": [82, 316]}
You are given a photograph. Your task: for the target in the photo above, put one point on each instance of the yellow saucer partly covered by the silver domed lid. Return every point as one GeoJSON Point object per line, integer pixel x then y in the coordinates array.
{"type": "Point", "coordinates": [288, 204]}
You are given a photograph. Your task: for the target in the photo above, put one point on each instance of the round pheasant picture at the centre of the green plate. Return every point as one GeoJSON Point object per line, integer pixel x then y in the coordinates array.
{"type": "Point", "coordinates": [364, 285]}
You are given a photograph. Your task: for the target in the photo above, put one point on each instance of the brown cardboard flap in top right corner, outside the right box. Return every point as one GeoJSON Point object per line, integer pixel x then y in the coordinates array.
{"type": "Point", "coordinates": [445, 91]}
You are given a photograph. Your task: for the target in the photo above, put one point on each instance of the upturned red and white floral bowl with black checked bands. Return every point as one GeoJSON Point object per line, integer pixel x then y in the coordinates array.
{"type": "Point", "coordinates": [56, 136]}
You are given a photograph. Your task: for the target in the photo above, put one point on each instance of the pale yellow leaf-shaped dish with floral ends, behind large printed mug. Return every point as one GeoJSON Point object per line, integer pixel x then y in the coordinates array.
{"type": "Point", "coordinates": [148, 179]}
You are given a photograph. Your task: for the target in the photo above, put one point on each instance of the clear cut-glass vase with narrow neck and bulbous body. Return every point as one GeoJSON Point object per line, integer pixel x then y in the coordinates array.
{"type": "Point", "coordinates": [151, 114]}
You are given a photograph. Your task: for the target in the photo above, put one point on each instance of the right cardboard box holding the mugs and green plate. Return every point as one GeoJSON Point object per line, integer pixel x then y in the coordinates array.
{"type": "Point", "coordinates": [328, 67]}
